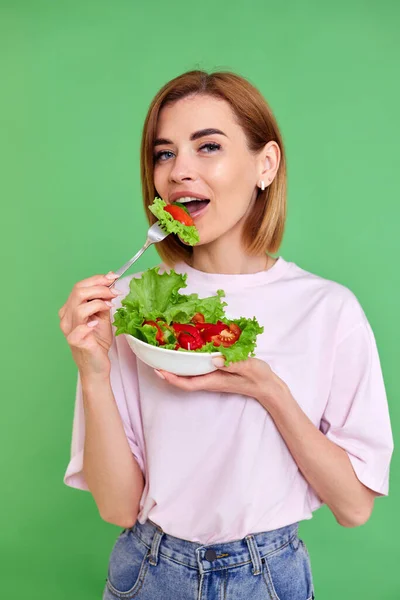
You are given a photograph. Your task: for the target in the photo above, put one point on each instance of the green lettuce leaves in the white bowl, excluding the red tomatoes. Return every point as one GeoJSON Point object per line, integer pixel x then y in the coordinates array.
{"type": "Point", "coordinates": [153, 296]}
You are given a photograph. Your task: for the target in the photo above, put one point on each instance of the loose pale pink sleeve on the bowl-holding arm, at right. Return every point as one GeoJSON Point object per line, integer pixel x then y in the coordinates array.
{"type": "Point", "coordinates": [356, 417]}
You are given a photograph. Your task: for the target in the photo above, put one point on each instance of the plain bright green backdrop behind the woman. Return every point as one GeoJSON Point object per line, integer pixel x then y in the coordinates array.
{"type": "Point", "coordinates": [76, 81]}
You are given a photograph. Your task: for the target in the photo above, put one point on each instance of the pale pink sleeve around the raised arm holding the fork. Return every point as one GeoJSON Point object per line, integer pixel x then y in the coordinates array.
{"type": "Point", "coordinates": [125, 389]}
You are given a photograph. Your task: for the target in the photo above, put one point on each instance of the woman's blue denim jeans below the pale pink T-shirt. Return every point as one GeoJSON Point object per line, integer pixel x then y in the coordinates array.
{"type": "Point", "coordinates": [148, 564]}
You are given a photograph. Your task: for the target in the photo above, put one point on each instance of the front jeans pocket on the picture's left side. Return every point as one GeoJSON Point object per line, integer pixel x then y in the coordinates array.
{"type": "Point", "coordinates": [128, 566]}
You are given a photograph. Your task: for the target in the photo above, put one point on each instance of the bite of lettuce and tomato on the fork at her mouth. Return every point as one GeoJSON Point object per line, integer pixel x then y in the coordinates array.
{"type": "Point", "coordinates": [175, 218]}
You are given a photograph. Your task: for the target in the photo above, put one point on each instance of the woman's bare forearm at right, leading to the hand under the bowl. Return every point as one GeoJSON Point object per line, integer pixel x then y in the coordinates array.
{"type": "Point", "coordinates": [325, 466]}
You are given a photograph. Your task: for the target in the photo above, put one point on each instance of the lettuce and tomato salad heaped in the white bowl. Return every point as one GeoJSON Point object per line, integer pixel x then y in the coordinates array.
{"type": "Point", "coordinates": [156, 312]}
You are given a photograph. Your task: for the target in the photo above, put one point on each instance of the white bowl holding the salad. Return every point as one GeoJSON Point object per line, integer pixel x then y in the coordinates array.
{"type": "Point", "coordinates": [179, 363]}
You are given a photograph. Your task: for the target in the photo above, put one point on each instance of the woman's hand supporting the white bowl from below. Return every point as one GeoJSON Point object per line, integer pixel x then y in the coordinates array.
{"type": "Point", "coordinates": [252, 377]}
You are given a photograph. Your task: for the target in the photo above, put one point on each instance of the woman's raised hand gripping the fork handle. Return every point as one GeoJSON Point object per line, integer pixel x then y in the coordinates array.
{"type": "Point", "coordinates": [85, 321]}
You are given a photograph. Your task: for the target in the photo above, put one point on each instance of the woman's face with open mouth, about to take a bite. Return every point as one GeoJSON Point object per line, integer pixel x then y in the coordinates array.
{"type": "Point", "coordinates": [190, 162]}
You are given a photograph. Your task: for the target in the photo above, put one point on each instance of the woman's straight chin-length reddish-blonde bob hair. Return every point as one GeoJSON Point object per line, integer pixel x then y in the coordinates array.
{"type": "Point", "coordinates": [263, 230]}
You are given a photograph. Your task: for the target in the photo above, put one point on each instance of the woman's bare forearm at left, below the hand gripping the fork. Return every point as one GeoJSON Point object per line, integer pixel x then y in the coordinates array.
{"type": "Point", "coordinates": [110, 469]}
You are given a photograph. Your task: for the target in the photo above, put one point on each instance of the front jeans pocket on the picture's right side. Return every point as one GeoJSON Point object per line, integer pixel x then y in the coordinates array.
{"type": "Point", "coordinates": [287, 572]}
